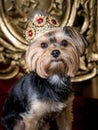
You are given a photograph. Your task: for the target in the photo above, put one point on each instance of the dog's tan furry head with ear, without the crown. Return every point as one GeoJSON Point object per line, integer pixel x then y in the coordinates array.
{"type": "Point", "coordinates": [56, 52]}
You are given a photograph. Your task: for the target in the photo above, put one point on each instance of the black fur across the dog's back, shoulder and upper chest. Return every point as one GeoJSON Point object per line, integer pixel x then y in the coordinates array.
{"type": "Point", "coordinates": [31, 86]}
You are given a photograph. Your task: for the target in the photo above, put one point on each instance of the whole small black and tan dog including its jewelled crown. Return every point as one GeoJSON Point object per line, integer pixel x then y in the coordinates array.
{"type": "Point", "coordinates": [42, 99]}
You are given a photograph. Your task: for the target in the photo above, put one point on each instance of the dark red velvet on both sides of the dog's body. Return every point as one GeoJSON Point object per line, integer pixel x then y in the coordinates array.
{"type": "Point", "coordinates": [85, 110]}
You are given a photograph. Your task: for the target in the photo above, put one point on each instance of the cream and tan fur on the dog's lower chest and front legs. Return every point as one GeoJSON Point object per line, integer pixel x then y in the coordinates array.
{"type": "Point", "coordinates": [40, 108]}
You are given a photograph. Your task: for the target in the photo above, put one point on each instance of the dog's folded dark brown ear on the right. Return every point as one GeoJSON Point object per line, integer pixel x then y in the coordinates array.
{"type": "Point", "coordinates": [78, 39]}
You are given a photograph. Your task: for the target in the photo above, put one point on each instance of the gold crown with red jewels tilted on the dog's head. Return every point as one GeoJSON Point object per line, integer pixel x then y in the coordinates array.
{"type": "Point", "coordinates": [38, 25]}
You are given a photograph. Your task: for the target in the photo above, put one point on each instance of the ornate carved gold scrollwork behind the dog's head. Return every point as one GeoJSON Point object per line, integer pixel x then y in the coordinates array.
{"type": "Point", "coordinates": [13, 16]}
